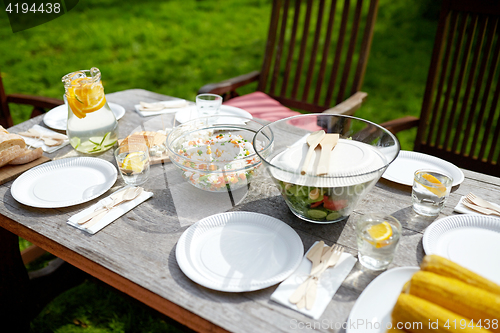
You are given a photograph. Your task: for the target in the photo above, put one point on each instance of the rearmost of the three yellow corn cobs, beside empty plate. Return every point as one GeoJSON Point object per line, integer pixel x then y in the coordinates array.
{"type": "Point", "coordinates": [442, 266]}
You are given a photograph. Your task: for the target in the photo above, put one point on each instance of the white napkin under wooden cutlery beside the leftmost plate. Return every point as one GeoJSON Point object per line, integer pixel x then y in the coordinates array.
{"type": "Point", "coordinates": [112, 215]}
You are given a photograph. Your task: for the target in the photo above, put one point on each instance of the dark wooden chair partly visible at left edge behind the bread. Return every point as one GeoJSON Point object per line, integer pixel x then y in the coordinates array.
{"type": "Point", "coordinates": [40, 104]}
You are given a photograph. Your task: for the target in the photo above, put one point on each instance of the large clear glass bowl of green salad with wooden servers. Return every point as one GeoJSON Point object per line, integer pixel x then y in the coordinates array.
{"type": "Point", "coordinates": [326, 191]}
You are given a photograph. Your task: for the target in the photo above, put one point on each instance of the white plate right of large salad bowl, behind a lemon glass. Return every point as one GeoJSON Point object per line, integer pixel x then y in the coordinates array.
{"type": "Point", "coordinates": [404, 166]}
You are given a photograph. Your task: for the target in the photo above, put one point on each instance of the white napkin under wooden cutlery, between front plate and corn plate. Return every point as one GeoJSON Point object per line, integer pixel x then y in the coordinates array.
{"type": "Point", "coordinates": [328, 285]}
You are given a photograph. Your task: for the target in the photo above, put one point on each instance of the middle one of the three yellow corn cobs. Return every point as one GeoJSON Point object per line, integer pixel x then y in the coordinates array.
{"type": "Point", "coordinates": [457, 296]}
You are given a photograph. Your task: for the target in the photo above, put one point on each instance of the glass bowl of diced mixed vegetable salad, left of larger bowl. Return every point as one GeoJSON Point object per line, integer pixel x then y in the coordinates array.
{"type": "Point", "coordinates": [216, 153]}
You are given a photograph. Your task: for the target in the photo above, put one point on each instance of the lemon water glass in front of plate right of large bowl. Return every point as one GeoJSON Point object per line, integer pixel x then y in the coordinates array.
{"type": "Point", "coordinates": [430, 191]}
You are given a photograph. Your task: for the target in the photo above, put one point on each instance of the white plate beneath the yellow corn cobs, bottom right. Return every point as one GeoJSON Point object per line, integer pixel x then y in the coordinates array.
{"type": "Point", "coordinates": [372, 311]}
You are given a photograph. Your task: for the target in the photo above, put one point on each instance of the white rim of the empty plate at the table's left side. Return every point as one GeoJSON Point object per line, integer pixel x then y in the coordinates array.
{"type": "Point", "coordinates": [38, 172]}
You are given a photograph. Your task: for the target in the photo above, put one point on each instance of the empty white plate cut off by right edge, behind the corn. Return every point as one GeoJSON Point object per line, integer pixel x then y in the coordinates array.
{"type": "Point", "coordinates": [472, 241]}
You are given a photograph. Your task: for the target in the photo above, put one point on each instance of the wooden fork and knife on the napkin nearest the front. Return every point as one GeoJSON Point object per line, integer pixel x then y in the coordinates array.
{"type": "Point", "coordinates": [321, 258]}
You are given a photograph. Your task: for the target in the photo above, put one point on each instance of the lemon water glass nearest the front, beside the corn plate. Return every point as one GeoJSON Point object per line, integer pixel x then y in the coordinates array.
{"type": "Point", "coordinates": [378, 236]}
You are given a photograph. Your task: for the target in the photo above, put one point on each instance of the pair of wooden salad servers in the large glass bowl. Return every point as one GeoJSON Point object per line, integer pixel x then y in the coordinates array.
{"type": "Point", "coordinates": [327, 143]}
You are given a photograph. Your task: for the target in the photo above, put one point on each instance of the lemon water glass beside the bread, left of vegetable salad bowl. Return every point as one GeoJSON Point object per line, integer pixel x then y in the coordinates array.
{"type": "Point", "coordinates": [133, 163]}
